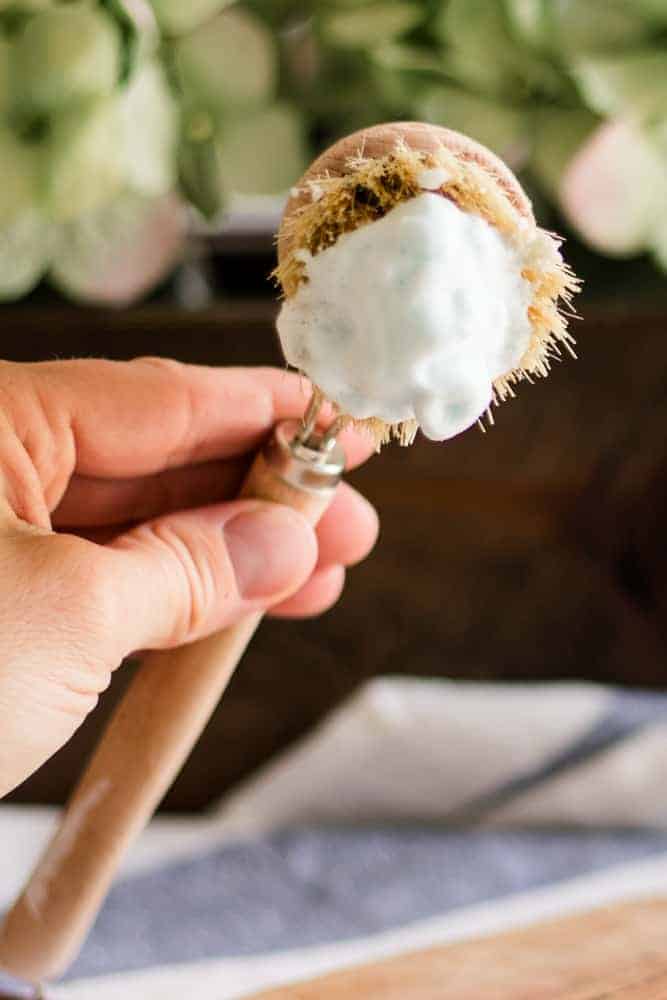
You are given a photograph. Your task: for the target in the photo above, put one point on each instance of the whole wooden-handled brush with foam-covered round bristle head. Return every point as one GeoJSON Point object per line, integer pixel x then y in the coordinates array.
{"type": "Point", "coordinates": [378, 210]}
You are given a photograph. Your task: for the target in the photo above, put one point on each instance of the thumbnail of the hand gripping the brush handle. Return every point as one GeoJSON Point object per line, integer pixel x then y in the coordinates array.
{"type": "Point", "coordinates": [272, 550]}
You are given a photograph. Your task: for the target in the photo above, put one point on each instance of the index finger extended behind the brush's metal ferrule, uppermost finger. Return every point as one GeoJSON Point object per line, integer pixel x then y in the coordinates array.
{"type": "Point", "coordinates": [141, 417]}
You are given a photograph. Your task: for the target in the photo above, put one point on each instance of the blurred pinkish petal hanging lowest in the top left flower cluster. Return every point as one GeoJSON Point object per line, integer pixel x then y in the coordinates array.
{"type": "Point", "coordinates": [119, 252]}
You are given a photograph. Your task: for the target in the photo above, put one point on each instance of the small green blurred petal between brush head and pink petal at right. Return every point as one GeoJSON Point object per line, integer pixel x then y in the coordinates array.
{"type": "Point", "coordinates": [557, 137]}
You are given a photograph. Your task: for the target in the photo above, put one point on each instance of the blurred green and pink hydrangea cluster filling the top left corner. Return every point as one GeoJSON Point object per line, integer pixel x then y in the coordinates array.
{"type": "Point", "coordinates": [88, 133]}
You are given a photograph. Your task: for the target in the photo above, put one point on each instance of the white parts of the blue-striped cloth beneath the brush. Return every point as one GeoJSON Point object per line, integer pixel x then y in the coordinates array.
{"type": "Point", "coordinates": [402, 749]}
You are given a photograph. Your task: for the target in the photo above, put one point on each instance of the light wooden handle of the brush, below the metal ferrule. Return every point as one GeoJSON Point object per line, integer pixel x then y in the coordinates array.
{"type": "Point", "coordinates": [143, 748]}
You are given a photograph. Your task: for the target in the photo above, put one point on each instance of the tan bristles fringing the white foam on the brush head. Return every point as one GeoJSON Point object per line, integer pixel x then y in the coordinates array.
{"type": "Point", "coordinates": [372, 187]}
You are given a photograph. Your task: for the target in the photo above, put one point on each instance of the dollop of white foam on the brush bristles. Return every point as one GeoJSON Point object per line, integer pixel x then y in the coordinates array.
{"type": "Point", "coordinates": [411, 317]}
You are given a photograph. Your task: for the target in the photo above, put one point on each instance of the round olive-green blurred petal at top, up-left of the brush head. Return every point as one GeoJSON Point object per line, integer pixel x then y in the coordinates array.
{"type": "Point", "coordinates": [228, 63]}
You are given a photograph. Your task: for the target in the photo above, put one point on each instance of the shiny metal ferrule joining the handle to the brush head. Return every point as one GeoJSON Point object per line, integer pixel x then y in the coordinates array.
{"type": "Point", "coordinates": [304, 465]}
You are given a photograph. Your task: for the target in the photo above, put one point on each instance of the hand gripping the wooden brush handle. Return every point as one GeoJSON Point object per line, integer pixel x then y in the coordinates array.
{"type": "Point", "coordinates": [117, 531]}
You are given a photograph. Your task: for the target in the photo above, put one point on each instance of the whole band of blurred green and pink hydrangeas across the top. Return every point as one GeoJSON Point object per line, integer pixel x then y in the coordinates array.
{"type": "Point", "coordinates": [116, 115]}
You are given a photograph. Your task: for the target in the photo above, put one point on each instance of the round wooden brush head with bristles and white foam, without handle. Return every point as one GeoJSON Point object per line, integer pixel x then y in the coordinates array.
{"type": "Point", "coordinates": [476, 242]}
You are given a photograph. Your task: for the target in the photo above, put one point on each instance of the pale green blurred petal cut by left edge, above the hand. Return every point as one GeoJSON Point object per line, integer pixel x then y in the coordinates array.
{"type": "Point", "coordinates": [24, 254]}
